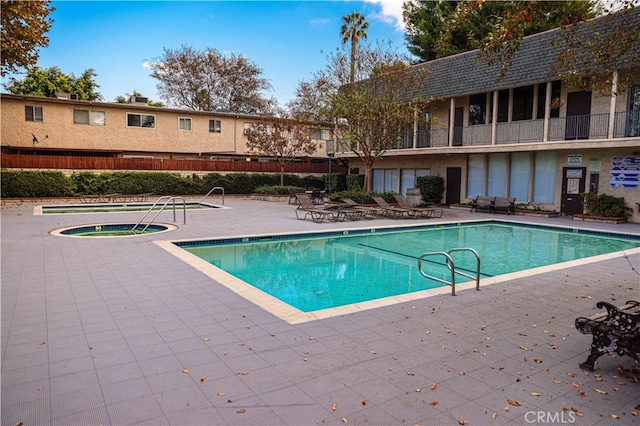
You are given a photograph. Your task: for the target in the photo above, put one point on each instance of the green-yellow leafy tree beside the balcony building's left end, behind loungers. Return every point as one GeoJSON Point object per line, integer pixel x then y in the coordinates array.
{"type": "Point", "coordinates": [372, 115]}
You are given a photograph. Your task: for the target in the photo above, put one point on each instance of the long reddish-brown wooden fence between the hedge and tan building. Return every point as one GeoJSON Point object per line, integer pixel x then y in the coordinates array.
{"type": "Point", "coordinates": [23, 161]}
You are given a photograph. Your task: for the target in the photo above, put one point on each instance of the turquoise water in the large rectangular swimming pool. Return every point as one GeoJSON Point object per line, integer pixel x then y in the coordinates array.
{"type": "Point", "coordinates": [326, 270]}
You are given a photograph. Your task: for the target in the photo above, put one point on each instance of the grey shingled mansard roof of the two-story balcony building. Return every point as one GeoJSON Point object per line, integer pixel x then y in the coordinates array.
{"type": "Point", "coordinates": [465, 73]}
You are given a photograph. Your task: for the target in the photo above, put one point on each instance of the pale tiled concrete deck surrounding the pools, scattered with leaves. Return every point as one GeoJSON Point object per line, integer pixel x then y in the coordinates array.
{"type": "Point", "coordinates": [118, 331]}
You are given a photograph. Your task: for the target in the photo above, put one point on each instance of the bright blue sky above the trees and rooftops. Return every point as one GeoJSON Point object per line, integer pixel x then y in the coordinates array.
{"type": "Point", "coordinates": [284, 38]}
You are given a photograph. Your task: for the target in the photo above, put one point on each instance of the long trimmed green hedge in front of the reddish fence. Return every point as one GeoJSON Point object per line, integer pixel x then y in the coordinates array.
{"type": "Point", "coordinates": [30, 183]}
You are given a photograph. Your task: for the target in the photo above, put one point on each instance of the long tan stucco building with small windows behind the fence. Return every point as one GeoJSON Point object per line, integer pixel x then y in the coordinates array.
{"type": "Point", "coordinates": [69, 126]}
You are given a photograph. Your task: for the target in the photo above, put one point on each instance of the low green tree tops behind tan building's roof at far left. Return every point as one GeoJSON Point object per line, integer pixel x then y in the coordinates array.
{"type": "Point", "coordinates": [48, 82]}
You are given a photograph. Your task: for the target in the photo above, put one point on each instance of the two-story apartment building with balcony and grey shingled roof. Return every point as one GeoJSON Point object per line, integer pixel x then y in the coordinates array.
{"type": "Point", "coordinates": [526, 134]}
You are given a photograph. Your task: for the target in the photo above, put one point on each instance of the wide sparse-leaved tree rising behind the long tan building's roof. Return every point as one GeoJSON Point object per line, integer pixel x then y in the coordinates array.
{"type": "Point", "coordinates": [208, 80]}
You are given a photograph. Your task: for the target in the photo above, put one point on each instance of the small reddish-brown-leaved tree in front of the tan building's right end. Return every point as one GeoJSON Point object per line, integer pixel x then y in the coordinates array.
{"type": "Point", "coordinates": [282, 137]}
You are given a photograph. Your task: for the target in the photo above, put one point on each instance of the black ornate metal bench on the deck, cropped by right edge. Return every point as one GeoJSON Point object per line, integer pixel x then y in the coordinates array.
{"type": "Point", "coordinates": [616, 331]}
